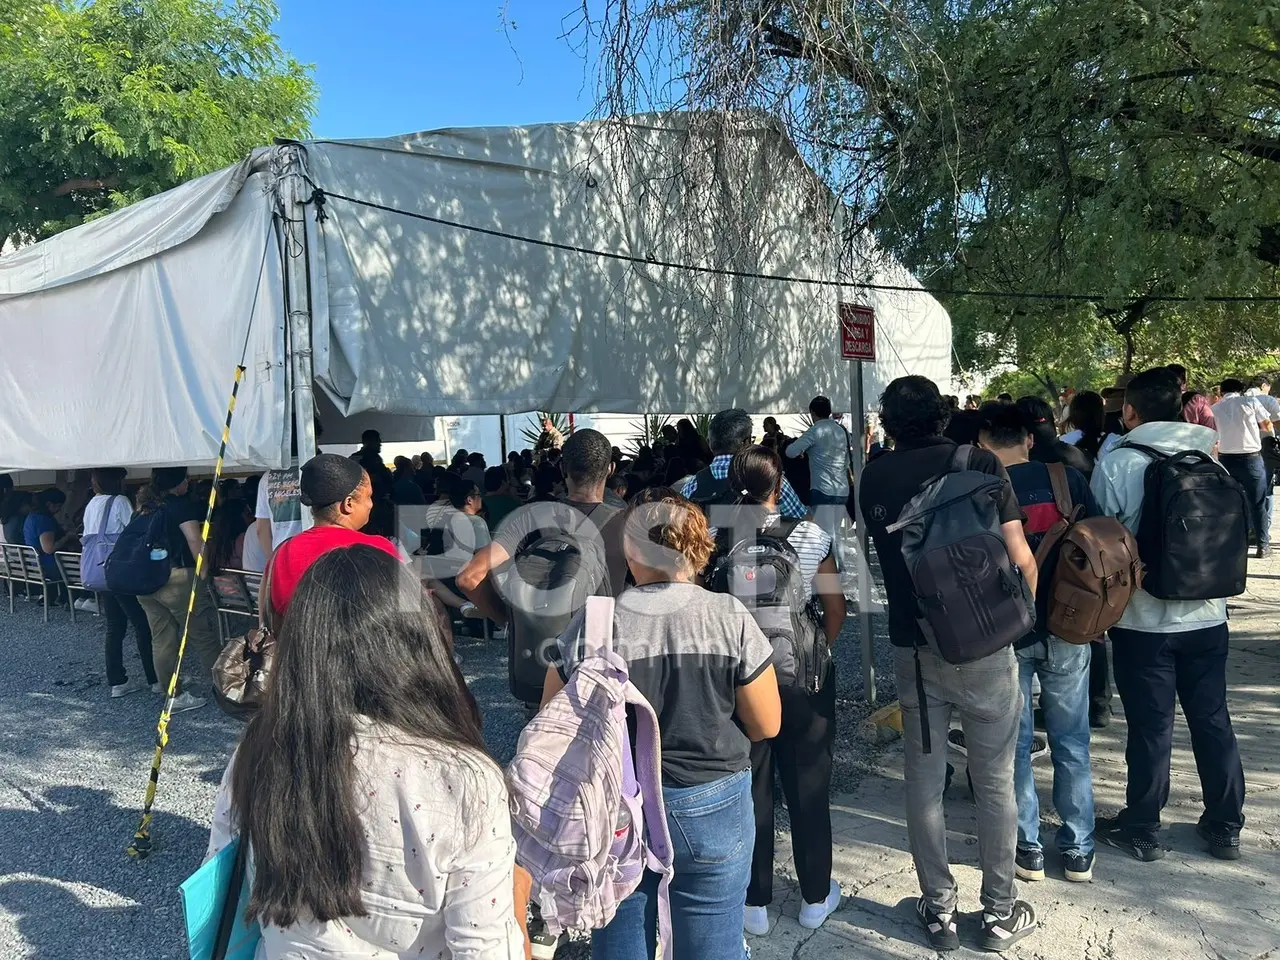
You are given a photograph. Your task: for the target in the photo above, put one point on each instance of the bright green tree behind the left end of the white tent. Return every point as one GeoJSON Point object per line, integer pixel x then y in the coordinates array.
{"type": "Point", "coordinates": [111, 102]}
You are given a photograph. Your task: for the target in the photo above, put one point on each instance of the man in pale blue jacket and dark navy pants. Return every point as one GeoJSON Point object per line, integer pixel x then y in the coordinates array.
{"type": "Point", "coordinates": [1168, 651]}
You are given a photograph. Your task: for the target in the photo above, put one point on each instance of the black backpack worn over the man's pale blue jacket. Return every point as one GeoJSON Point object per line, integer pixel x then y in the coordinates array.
{"type": "Point", "coordinates": [1194, 533]}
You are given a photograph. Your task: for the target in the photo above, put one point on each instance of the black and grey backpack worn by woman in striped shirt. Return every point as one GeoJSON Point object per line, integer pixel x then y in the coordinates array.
{"type": "Point", "coordinates": [764, 572]}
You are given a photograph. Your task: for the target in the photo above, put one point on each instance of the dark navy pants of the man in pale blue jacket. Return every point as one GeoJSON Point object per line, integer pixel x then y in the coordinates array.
{"type": "Point", "coordinates": [1151, 671]}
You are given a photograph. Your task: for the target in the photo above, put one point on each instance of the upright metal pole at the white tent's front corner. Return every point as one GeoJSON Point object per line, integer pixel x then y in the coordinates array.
{"type": "Point", "coordinates": [298, 263]}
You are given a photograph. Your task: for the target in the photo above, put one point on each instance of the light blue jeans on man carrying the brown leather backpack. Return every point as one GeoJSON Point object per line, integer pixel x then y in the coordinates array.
{"type": "Point", "coordinates": [1064, 674]}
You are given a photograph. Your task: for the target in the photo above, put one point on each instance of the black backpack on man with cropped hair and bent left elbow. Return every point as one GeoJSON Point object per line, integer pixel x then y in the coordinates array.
{"type": "Point", "coordinates": [547, 586]}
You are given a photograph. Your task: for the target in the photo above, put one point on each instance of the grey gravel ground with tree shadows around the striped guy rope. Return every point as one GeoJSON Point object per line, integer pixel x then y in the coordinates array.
{"type": "Point", "coordinates": [74, 770]}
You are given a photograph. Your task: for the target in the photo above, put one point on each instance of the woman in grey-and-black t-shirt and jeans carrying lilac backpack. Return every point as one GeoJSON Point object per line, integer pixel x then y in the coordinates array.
{"type": "Point", "coordinates": [705, 666]}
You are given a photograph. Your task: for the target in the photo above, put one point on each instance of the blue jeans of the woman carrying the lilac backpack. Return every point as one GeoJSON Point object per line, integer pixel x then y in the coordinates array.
{"type": "Point", "coordinates": [712, 835]}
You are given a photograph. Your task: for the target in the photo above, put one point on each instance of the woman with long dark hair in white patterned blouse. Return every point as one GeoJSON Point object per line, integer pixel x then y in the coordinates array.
{"type": "Point", "coordinates": [378, 824]}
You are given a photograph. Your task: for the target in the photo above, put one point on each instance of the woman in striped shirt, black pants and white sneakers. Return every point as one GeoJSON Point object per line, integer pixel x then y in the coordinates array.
{"type": "Point", "coordinates": [802, 753]}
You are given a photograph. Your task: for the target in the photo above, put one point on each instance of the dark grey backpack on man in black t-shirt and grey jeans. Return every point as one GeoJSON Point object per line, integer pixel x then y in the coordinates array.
{"type": "Point", "coordinates": [973, 602]}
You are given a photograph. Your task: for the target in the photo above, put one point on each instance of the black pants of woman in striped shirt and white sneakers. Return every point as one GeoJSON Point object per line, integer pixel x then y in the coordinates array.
{"type": "Point", "coordinates": [802, 753]}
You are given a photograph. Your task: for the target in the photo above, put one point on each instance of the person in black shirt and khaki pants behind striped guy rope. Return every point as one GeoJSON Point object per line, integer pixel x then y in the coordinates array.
{"type": "Point", "coordinates": [167, 607]}
